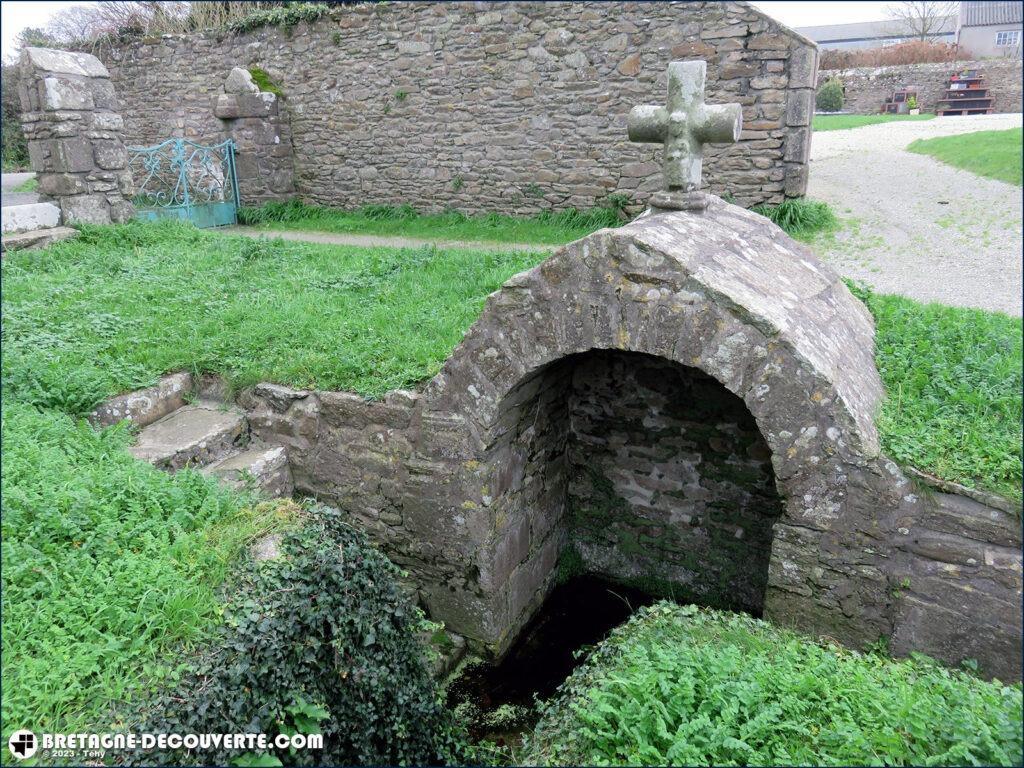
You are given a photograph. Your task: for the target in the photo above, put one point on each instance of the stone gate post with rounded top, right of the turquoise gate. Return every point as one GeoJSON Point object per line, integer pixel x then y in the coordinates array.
{"type": "Point", "coordinates": [259, 125]}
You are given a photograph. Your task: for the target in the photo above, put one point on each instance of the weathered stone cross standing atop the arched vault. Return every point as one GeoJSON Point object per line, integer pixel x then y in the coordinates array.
{"type": "Point", "coordinates": [685, 125]}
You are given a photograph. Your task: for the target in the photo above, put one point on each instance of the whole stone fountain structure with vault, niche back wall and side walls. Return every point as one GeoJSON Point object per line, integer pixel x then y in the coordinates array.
{"type": "Point", "coordinates": [703, 373]}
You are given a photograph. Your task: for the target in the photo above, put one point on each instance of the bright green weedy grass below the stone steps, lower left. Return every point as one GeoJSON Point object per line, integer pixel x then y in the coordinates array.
{"type": "Point", "coordinates": [110, 569]}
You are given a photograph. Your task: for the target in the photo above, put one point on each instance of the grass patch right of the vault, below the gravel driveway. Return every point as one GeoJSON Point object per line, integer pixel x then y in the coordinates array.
{"type": "Point", "coordinates": [954, 382]}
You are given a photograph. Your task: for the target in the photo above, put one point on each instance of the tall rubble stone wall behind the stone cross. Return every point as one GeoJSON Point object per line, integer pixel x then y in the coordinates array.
{"type": "Point", "coordinates": [517, 106]}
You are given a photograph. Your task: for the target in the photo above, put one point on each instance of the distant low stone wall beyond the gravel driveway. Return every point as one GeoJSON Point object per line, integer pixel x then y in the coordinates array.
{"type": "Point", "coordinates": [868, 88]}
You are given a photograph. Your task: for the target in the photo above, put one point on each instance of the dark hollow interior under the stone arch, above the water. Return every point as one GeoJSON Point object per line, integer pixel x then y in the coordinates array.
{"type": "Point", "coordinates": [641, 471]}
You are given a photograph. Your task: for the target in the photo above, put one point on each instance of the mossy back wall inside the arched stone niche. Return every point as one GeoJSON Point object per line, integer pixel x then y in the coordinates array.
{"type": "Point", "coordinates": [671, 485]}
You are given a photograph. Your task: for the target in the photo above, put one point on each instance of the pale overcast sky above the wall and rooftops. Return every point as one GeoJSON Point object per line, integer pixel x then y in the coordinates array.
{"type": "Point", "coordinates": [17, 15]}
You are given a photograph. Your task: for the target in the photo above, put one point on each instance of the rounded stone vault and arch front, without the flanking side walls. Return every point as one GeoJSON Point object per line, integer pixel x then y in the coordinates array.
{"type": "Point", "coordinates": [726, 293]}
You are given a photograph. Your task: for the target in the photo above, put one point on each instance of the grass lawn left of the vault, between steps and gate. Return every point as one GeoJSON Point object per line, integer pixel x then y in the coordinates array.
{"type": "Point", "coordinates": [118, 307]}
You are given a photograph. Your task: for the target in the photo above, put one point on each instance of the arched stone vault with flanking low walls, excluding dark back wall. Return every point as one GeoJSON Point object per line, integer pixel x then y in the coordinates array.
{"type": "Point", "coordinates": [447, 482]}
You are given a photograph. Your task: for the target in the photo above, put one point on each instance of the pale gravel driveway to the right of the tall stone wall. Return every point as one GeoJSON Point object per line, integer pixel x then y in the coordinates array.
{"type": "Point", "coordinates": [915, 226]}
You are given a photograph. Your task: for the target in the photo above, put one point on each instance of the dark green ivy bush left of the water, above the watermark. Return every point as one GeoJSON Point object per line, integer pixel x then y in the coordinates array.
{"type": "Point", "coordinates": [319, 639]}
